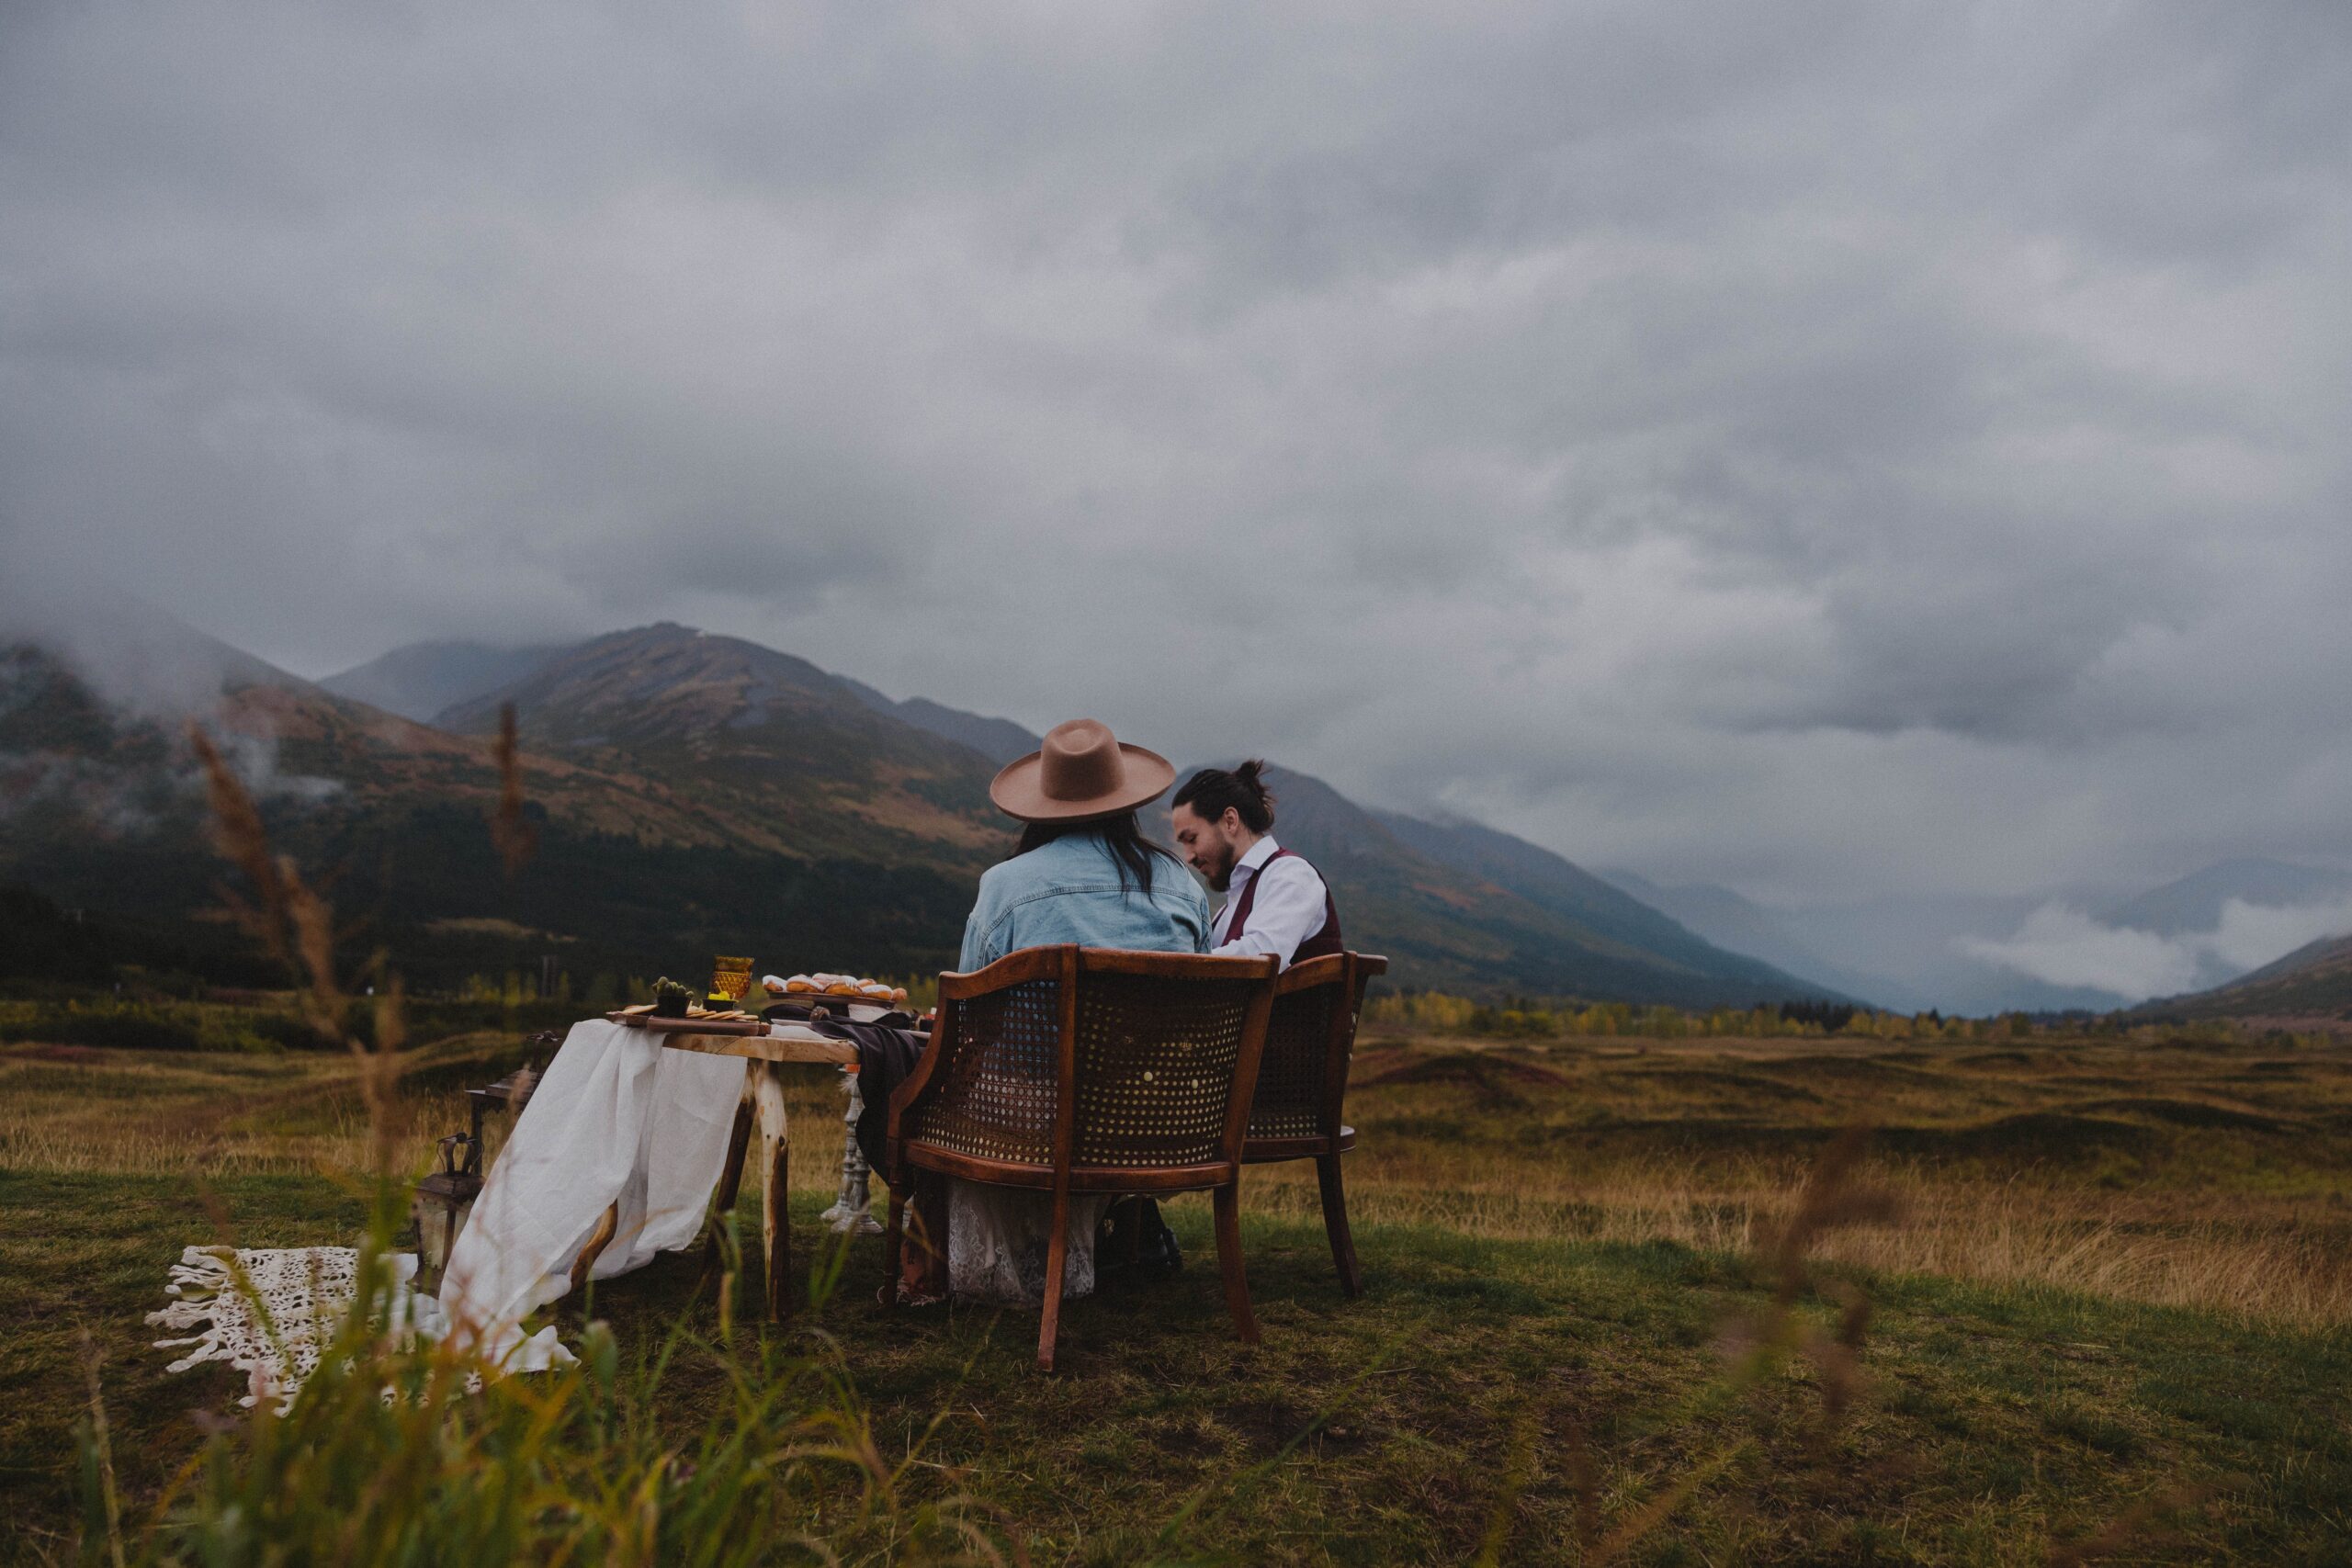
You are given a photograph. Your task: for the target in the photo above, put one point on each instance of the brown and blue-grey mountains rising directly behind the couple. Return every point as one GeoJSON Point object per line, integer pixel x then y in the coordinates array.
{"type": "Point", "coordinates": [702, 793]}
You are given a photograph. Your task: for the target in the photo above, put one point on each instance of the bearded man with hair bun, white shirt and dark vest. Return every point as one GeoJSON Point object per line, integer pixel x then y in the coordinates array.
{"type": "Point", "coordinates": [1276, 902]}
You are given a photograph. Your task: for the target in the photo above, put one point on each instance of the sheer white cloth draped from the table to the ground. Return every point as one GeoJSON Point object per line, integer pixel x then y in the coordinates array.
{"type": "Point", "coordinates": [615, 1120]}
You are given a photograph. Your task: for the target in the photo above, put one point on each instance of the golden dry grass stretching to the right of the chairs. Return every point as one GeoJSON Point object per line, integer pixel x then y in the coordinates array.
{"type": "Point", "coordinates": [2221, 1191]}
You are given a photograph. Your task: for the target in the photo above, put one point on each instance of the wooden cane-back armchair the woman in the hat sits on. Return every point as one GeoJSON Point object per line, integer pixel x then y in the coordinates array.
{"type": "Point", "coordinates": [1088, 1071]}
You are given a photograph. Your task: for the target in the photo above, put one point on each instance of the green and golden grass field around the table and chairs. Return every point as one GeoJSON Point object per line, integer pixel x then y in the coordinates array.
{"type": "Point", "coordinates": [2111, 1311]}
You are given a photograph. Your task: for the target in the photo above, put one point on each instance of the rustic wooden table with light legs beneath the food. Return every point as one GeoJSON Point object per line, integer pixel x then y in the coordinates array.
{"type": "Point", "coordinates": [768, 1050]}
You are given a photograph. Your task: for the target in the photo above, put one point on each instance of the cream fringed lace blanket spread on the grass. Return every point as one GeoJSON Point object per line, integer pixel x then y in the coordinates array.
{"type": "Point", "coordinates": [286, 1313]}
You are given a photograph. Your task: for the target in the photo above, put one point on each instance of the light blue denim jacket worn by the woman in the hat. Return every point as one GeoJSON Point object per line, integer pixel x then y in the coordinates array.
{"type": "Point", "coordinates": [1069, 892]}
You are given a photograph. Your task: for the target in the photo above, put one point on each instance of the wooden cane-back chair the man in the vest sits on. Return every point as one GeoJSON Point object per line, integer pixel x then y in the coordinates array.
{"type": "Point", "coordinates": [1304, 1085]}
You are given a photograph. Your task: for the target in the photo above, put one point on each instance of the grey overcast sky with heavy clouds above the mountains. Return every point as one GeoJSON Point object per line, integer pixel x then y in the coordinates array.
{"type": "Point", "coordinates": [1822, 448]}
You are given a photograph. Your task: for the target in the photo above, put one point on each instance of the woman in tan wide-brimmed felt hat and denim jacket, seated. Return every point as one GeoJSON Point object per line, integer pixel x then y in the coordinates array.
{"type": "Point", "coordinates": [1088, 876]}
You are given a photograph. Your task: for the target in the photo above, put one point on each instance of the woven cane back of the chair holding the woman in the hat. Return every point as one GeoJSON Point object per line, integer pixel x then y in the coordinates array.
{"type": "Point", "coordinates": [1093, 1059]}
